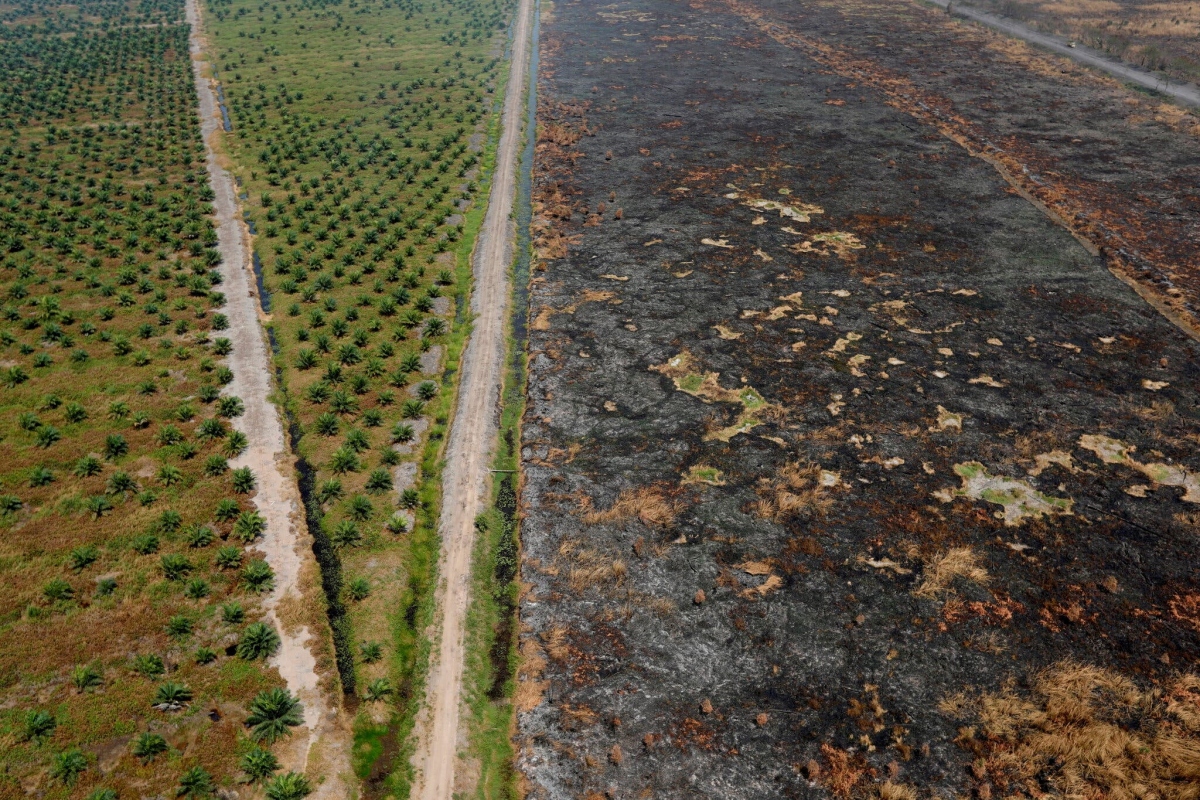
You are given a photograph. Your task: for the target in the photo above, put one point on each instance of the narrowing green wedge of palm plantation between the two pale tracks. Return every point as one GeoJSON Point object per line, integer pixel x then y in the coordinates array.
{"type": "Point", "coordinates": [361, 136]}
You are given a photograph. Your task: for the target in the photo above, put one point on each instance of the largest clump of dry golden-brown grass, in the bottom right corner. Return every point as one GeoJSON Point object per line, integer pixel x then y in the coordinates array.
{"type": "Point", "coordinates": [1091, 733]}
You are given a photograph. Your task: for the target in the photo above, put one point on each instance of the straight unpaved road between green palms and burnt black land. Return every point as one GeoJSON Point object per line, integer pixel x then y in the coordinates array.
{"type": "Point", "coordinates": [472, 438]}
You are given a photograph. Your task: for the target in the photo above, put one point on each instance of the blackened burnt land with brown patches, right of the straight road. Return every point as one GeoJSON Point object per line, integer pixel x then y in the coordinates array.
{"type": "Point", "coordinates": [848, 472]}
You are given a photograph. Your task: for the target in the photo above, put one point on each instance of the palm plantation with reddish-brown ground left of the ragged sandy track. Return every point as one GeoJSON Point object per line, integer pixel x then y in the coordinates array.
{"type": "Point", "coordinates": [131, 654]}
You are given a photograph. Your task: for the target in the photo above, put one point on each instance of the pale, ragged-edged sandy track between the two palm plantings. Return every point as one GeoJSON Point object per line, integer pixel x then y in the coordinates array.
{"type": "Point", "coordinates": [286, 545]}
